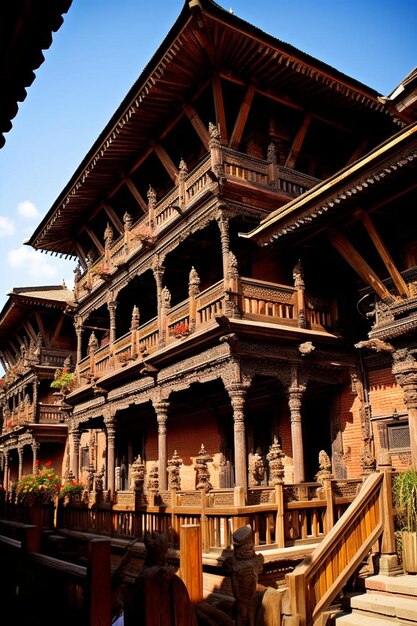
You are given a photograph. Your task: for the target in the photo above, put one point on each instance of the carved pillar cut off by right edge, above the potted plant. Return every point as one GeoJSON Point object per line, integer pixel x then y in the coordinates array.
{"type": "Point", "coordinates": [405, 372]}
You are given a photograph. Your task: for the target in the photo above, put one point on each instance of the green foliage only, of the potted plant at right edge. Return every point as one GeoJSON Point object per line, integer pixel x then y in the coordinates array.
{"type": "Point", "coordinates": [405, 499]}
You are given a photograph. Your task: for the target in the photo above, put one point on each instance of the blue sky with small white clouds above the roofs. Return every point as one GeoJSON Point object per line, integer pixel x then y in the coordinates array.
{"type": "Point", "coordinates": [98, 54]}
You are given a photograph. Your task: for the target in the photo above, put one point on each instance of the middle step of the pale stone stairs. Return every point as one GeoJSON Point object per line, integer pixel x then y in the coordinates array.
{"type": "Point", "coordinates": [386, 606]}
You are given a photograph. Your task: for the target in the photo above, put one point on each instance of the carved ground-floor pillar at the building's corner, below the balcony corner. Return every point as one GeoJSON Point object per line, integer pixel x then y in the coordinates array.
{"type": "Point", "coordinates": [237, 394]}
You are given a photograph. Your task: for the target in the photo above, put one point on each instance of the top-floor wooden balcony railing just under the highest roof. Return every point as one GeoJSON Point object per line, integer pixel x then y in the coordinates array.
{"type": "Point", "coordinates": [238, 169]}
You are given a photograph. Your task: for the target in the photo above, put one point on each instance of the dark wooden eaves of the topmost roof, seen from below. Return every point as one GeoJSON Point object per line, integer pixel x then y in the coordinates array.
{"type": "Point", "coordinates": [180, 64]}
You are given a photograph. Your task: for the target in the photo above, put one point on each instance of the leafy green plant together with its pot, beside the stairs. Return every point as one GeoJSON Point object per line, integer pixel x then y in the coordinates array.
{"type": "Point", "coordinates": [405, 503]}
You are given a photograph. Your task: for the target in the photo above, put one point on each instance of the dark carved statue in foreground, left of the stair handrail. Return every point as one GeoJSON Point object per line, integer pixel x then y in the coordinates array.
{"type": "Point", "coordinates": [245, 567]}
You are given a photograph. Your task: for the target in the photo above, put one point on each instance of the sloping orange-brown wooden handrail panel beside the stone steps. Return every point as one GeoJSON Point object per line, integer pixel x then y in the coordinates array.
{"type": "Point", "coordinates": [316, 582]}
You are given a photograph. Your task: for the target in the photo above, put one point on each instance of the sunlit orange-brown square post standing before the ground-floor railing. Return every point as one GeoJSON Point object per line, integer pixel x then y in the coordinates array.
{"type": "Point", "coordinates": [191, 565]}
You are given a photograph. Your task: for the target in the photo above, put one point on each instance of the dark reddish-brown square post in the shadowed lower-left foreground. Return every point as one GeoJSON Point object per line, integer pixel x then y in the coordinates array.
{"type": "Point", "coordinates": [99, 582]}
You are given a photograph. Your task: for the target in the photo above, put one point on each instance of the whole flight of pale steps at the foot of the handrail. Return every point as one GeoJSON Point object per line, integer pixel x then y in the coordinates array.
{"type": "Point", "coordinates": [387, 601]}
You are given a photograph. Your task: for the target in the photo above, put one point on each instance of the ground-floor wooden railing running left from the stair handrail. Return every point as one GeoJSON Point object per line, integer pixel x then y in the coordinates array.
{"type": "Point", "coordinates": [278, 522]}
